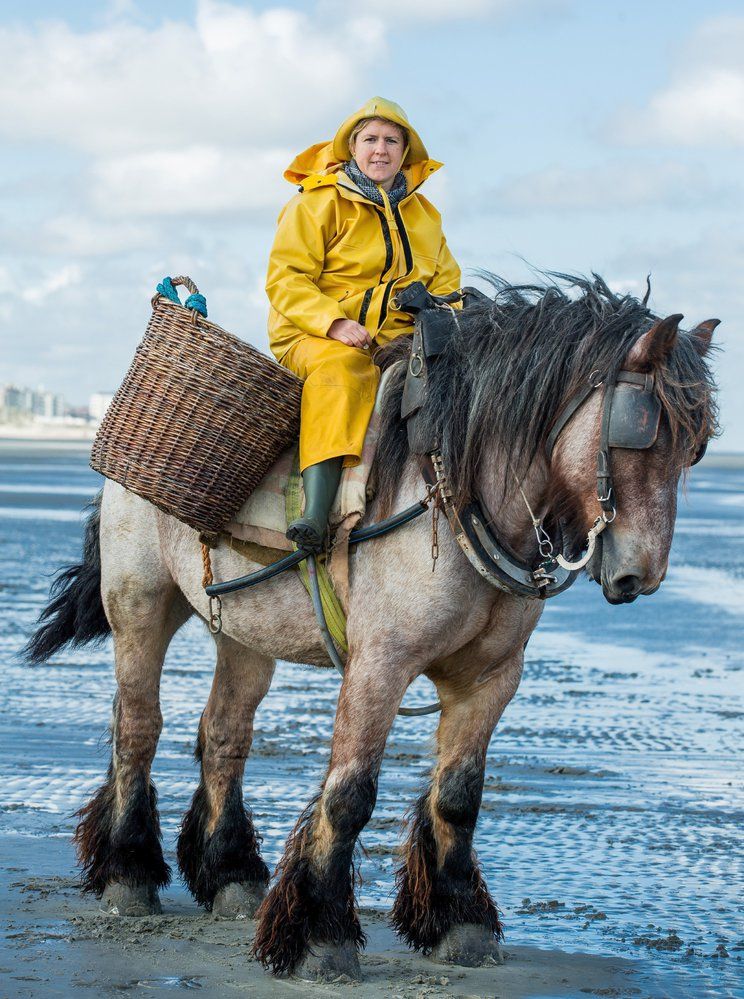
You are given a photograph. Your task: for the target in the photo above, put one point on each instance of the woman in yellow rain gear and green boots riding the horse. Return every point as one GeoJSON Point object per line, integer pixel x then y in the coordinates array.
{"type": "Point", "coordinates": [358, 231]}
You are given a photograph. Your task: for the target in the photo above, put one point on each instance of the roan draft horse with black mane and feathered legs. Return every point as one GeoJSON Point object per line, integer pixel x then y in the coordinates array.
{"type": "Point", "coordinates": [513, 367]}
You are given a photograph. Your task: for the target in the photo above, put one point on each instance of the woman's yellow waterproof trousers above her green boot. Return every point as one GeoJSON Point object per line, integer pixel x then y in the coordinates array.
{"type": "Point", "coordinates": [337, 398]}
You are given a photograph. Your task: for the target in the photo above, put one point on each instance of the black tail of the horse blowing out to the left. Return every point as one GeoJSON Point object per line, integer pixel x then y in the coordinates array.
{"type": "Point", "coordinates": [74, 614]}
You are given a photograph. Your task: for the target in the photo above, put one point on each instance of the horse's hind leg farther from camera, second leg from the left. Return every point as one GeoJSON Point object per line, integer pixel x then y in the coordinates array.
{"type": "Point", "coordinates": [218, 846]}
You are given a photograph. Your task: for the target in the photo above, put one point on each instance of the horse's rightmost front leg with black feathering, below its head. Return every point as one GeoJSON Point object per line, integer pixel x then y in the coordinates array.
{"type": "Point", "coordinates": [443, 905]}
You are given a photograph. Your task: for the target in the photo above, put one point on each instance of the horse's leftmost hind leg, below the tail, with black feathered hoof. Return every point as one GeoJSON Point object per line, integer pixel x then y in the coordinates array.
{"type": "Point", "coordinates": [118, 835]}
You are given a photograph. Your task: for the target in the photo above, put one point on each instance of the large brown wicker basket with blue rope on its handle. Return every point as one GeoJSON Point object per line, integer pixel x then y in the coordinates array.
{"type": "Point", "coordinates": [199, 418]}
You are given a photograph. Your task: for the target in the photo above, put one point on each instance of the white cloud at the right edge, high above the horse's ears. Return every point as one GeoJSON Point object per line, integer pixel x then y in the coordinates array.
{"type": "Point", "coordinates": [703, 103]}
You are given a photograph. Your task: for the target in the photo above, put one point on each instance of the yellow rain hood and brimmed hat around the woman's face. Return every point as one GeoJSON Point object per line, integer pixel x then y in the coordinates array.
{"type": "Point", "coordinates": [325, 157]}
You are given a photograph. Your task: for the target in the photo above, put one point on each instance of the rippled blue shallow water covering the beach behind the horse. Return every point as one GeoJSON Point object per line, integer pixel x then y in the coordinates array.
{"type": "Point", "coordinates": [613, 801]}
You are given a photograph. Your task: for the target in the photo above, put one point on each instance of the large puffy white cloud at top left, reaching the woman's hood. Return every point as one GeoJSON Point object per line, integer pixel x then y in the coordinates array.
{"type": "Point", "coordinates": [234, 76]}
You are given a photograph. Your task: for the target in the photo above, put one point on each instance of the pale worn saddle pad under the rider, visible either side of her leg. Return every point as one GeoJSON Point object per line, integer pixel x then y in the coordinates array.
{"type": "Point", "coordinates": [262, 518]}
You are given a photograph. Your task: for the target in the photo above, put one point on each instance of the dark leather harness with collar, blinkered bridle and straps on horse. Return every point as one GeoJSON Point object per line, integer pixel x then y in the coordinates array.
{"type": "Point", "coordinates": [630, 419]}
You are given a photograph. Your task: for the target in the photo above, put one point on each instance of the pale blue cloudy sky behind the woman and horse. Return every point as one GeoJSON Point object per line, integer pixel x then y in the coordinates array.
{"type": "Point", "coordinates": [148, 139]}
